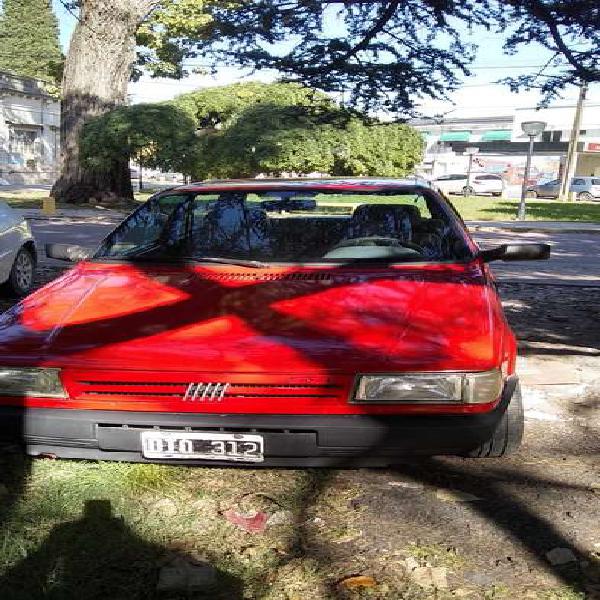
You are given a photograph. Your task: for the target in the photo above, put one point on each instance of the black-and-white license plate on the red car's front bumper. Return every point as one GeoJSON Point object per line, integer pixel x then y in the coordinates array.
{"type": "Point", "coordinates": [237, 447]}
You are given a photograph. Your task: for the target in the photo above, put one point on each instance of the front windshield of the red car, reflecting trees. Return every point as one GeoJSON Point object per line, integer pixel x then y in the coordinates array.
{"type": "Point", "coordinates": [299, 226]}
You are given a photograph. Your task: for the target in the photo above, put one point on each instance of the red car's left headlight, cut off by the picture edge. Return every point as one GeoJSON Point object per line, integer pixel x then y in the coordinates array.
{"type": "Point", "coordinates": [31, 382]}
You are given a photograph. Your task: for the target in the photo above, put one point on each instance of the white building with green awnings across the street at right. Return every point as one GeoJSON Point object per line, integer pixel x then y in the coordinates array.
{"type": "Point", "coordinates": [501, 146]}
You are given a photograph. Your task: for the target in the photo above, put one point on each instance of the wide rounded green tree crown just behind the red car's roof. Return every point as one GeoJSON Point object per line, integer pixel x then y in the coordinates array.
{"type": "Point", "coordinates": [253, 128]}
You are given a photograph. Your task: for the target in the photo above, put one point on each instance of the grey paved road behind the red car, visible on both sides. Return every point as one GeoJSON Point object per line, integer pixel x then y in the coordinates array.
{"type": "Point", "coordinates": [575, 257]}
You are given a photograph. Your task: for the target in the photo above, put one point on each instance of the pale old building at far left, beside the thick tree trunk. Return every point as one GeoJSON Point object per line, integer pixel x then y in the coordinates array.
{"type": "Point", "coordinates": [29, 131]}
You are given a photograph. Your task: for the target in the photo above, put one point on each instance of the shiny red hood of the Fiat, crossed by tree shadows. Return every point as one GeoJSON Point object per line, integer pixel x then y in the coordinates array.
{"type": "Point", "coordinates": [235, 319]}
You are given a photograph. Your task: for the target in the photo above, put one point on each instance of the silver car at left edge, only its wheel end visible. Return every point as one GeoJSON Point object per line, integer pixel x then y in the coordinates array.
{"type": "Point", "coordinates": [17, 252]}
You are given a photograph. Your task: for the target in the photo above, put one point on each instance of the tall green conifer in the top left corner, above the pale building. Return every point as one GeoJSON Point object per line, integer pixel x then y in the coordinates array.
{"type": "Point", "coordinates": [29, 42]}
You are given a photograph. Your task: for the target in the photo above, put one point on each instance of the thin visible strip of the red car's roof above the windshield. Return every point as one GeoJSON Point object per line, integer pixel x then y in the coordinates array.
{"type": "Point", "coordinates": [325, 183]}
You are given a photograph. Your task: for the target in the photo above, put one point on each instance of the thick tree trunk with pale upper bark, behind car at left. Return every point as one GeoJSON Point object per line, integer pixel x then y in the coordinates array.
{"type": "Point", "coordinates": [97, 70]}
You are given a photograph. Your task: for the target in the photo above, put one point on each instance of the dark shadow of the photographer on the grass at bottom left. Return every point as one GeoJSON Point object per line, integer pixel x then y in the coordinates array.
{"type": "Point", "coordinates": [98, 556]}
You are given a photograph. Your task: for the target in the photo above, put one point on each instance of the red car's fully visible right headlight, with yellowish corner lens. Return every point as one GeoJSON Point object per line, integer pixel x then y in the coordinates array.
{"type": "Point", "coordinates": [431, 388]}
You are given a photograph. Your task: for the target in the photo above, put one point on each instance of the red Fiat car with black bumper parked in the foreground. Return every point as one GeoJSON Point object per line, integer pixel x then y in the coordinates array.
{"type": "Point", "coordinates": [312, 322]}
